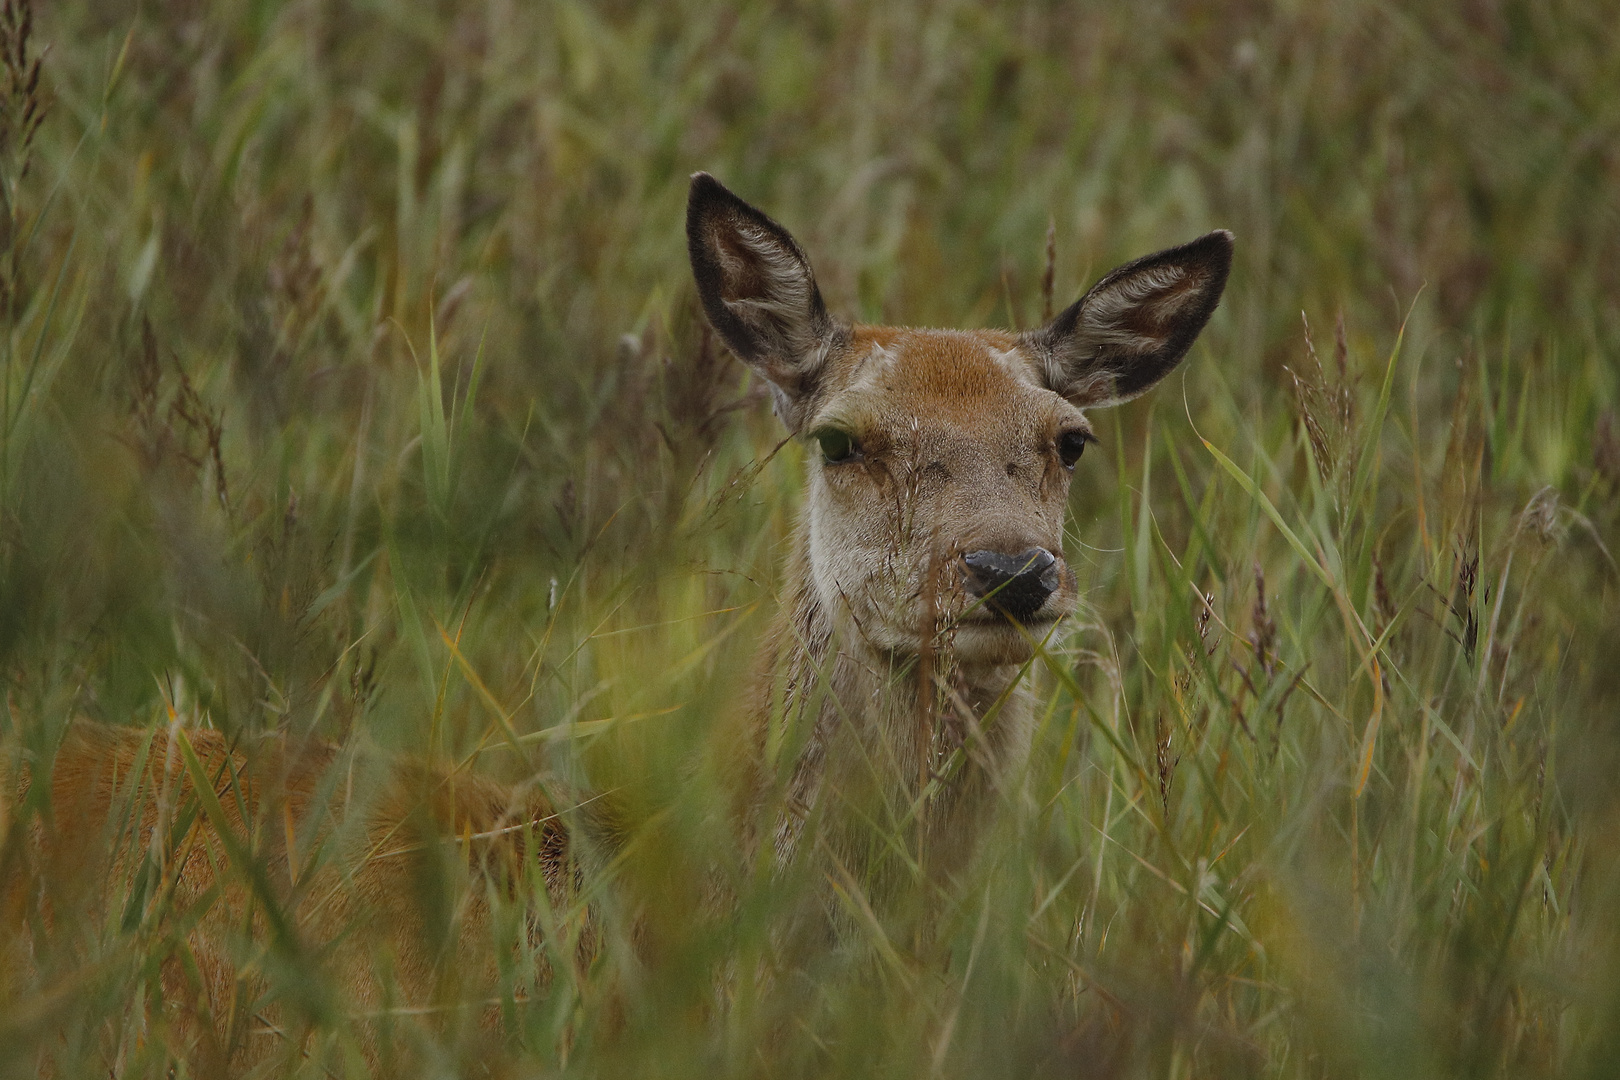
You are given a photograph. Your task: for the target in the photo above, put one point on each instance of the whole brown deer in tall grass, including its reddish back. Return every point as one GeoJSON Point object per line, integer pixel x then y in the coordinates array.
{"type": "Point", "coordinates": [923, 579]}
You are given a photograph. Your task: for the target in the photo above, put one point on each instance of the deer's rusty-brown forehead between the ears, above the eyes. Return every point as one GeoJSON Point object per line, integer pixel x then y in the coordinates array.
{"type": "Point", "coordinates": [906, 385]}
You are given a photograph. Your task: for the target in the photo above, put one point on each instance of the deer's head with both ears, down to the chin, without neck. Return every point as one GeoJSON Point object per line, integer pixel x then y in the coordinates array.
{"type": "Point", "coordinates": [942, 459]}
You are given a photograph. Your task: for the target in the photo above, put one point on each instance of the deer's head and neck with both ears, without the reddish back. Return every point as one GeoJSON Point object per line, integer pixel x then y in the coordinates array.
{"type": "Point", "coordinates": [927, 564]}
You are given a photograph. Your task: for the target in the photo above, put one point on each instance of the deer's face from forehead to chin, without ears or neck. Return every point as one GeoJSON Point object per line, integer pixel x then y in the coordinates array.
{"type": "Point", "coordinates": [939, 480]}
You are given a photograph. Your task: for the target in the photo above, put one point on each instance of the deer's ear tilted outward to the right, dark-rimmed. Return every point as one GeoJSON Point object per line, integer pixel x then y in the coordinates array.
{"type": "Point", "coordinates": [1135, 326]}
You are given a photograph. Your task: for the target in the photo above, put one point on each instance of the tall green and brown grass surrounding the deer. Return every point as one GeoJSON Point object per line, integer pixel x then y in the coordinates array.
{"type": "Point", "coordinates": [354, 386]}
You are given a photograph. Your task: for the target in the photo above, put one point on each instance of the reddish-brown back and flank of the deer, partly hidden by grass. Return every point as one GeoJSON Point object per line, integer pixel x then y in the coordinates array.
{"type": "Point", "coordinates": [283, 867]}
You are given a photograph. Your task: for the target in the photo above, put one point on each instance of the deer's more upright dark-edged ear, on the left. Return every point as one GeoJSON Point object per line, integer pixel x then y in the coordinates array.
{"type": "Point", "coordinates": [757, 292]}
